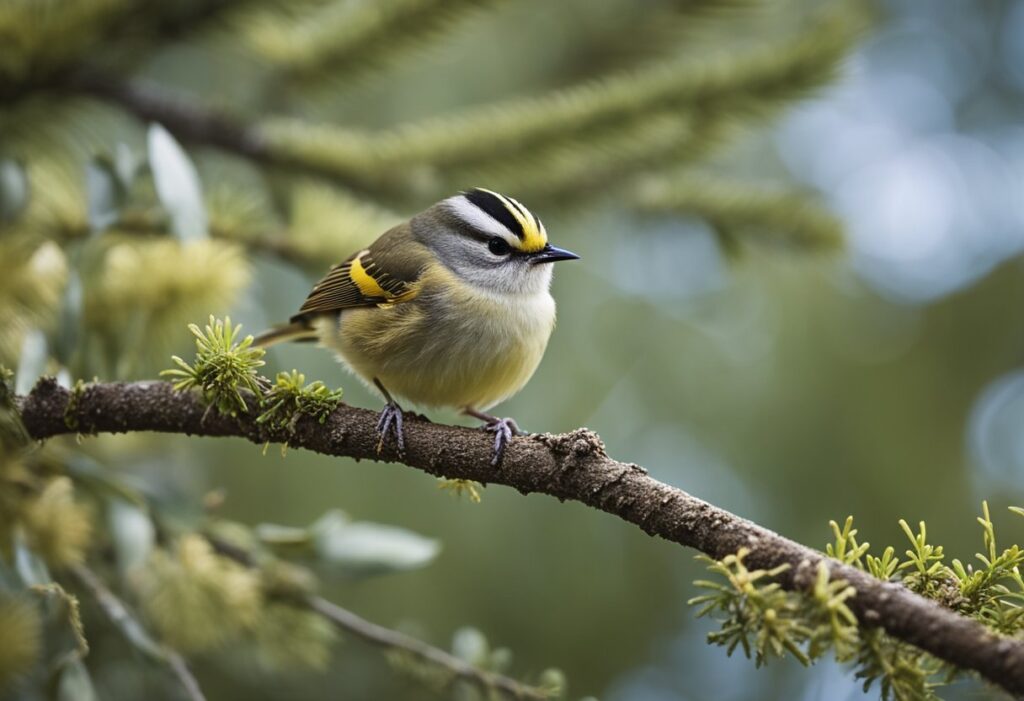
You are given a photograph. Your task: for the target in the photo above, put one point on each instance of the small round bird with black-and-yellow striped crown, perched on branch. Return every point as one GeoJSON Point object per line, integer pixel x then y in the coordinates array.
{"type": "Point", "coordinates": [451, 309]}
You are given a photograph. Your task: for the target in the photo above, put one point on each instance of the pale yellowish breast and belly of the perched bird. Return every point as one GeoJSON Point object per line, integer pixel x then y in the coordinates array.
{"type": "Point", "coordinates": [436, 358]}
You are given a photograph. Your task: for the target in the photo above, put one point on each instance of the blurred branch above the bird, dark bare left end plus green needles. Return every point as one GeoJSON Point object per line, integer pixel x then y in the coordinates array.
{"type": "Point", "coordinates": [581, 124]}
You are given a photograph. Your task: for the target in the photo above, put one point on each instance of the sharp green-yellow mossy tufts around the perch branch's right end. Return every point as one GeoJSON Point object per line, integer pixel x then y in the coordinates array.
{"type": "Point", "coordinates": [757, 616]}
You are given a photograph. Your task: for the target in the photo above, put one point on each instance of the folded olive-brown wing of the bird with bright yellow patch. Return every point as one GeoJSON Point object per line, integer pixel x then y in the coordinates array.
{"type": "Point", "coordinates": [386, 274]}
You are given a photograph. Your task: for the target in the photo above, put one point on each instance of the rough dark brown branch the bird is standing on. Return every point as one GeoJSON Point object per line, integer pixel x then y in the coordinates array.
{"type": "Point", "coordinates": [572, 466]}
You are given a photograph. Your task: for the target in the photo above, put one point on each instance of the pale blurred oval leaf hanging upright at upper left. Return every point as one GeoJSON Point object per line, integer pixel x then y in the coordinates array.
{"type": "Point", "coordinates": [178, 186]}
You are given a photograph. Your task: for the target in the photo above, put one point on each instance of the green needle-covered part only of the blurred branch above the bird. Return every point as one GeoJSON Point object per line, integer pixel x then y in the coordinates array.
{"type": "Point", "coordinates": [581, 117]}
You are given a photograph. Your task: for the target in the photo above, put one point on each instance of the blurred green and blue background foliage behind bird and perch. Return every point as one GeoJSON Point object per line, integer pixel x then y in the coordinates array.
{"type": "Point", "coordinates": [705, 157]}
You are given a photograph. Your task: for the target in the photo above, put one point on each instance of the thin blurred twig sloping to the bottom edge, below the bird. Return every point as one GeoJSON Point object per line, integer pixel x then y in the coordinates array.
{"type": "Point", "coordinates": [395, 641]}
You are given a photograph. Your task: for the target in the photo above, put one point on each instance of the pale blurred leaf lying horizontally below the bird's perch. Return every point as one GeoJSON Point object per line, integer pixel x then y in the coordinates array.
{"type": "Point", "coordinates": [365, 549]}
